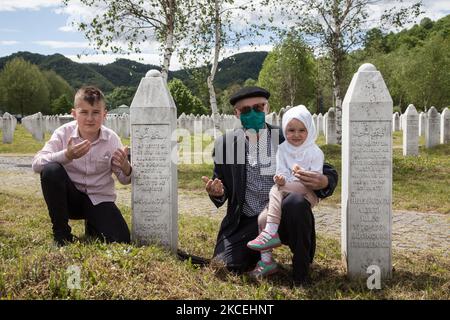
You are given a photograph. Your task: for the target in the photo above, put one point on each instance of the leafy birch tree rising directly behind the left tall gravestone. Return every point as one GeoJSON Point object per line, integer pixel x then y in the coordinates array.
{"type": "Point", "coordinates": [123, 26]}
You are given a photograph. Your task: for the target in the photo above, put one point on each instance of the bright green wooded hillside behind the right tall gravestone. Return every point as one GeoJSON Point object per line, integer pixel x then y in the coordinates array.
{"type": "Point", "coordinates": [415, 63]}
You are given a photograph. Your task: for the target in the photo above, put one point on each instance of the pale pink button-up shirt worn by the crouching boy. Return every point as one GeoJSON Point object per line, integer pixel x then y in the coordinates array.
{"type": "Point", "coordinates": [92, 173]}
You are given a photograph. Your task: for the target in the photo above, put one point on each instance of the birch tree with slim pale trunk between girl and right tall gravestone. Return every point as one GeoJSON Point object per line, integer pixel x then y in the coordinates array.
{"type": "Point", "coordinates": [335, 27]}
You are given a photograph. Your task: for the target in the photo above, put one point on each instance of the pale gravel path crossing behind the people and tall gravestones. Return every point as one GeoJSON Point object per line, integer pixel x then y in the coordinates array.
{"type": "Point", "coordinates": [412, 231]}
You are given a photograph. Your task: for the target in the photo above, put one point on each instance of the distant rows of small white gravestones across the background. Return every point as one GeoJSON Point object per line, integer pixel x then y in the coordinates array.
{"type": "Point", "coordinates": [434, 126]}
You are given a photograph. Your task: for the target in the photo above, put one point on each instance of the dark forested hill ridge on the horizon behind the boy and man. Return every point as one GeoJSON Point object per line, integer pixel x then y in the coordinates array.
{"type": "Point", "coordinates": [233, 70]}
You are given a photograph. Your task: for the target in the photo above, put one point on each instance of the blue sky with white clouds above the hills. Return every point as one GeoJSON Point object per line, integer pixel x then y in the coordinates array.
{"type": "Point", "coordinates": [43, 26]}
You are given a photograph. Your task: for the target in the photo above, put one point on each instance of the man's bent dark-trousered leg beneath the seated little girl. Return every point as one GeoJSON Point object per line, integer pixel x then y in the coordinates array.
{"type": "Point", "coordinates": [297, 230]}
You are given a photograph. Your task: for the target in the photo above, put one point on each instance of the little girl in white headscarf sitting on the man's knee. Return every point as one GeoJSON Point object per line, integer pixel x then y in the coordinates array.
{"type": "Point", "coordinates": [298, 152]}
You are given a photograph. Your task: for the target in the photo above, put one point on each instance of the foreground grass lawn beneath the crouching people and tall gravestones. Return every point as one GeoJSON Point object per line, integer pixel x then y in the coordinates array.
{"type": "Point", "coordinates": [31, 268]}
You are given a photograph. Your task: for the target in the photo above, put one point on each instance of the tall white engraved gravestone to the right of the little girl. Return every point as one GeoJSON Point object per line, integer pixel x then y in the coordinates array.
{"type": "Point", "coordinates": [367, 174]}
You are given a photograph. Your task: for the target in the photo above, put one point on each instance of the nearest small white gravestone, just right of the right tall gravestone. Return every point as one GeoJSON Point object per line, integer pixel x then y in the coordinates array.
{"type": "Point", "coordinates": [411, 132]}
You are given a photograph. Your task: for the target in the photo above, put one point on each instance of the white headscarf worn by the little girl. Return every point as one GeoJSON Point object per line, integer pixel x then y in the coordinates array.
{"type": "Point", "coordinates": [300, 113]}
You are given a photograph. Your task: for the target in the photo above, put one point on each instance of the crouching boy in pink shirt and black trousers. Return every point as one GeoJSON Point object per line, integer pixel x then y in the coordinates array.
{"type": "Point", "coordinates": [76, 167]}
